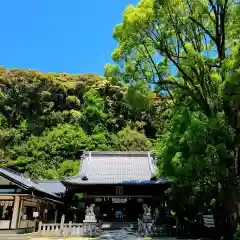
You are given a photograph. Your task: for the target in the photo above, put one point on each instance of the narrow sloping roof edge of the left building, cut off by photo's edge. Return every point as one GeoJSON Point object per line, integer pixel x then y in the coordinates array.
{"type": "Point", "coordinates": [23, 182]}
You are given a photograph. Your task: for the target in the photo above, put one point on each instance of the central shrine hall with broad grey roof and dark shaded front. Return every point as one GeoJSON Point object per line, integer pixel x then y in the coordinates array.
{"type": "Point", "coordinates": [118, 183]}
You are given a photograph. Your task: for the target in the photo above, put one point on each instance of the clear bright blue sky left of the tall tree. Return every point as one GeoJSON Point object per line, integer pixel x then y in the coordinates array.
{"type": "Point", "coordinates": [72, 36]}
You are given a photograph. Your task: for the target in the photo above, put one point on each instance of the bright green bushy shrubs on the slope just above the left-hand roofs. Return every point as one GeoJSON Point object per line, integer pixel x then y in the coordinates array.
{"type": "Point", "coordinates": [53, 148]}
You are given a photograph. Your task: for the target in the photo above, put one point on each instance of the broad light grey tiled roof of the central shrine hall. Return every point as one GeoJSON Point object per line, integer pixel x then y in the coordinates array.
{"type": "Point", "coordinates": [115, 168]}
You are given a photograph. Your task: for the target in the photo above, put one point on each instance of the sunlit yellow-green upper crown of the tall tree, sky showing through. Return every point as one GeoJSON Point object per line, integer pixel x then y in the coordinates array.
{"type": "Point", "coordinates": [177, 45]}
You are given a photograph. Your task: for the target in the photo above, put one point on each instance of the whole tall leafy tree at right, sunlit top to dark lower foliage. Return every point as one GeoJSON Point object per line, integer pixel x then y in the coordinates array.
{"type": "Point", "coordinates": [189, 52]}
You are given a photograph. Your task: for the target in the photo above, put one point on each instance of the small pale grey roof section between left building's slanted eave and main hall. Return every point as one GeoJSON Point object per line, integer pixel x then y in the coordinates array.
{"type": "Point", "coordinates": [53, 186]}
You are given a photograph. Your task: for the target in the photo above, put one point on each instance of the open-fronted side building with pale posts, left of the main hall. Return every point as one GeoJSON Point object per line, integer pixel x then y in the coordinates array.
{"type": "Point", "coordinates": [24, 202]}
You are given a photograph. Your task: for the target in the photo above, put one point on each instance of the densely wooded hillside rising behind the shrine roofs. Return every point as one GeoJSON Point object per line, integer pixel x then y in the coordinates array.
{"type": "Point", "coordinates": [47, 120]}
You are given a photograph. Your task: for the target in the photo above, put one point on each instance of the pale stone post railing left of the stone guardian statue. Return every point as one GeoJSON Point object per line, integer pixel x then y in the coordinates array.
{"type": "Point", "coordinates": [68, 229]}
